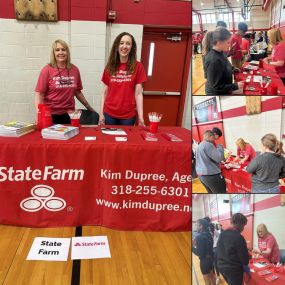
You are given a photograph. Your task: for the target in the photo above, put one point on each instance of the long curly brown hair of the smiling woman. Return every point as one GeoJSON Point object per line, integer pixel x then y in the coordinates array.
{"type": "Point", "coordinates": [114, 57]}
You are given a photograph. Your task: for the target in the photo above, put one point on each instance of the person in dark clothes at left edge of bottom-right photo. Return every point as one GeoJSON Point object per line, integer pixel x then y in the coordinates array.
{"type": "Point", "coordinates": [203, 248]}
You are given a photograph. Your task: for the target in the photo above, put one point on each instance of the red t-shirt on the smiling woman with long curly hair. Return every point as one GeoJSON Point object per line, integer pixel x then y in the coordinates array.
{"type": "Point", "coordinates": [120, 101]}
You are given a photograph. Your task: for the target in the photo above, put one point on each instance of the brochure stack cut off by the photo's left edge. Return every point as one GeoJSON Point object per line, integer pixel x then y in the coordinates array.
{"type": "Point", "coordinates": [16, 129]}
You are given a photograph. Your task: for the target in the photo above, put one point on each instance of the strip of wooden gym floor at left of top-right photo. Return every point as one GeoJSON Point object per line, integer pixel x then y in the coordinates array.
{"type": "Point", "coordinates": [198, 80]}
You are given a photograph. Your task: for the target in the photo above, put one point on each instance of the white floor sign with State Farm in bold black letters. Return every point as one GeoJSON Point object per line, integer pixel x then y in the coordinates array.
{"type": "Point", "coordinates": [52, 249]}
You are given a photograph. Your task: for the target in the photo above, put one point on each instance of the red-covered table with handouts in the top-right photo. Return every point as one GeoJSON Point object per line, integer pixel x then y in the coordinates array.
{"type": "Point", "coordinates": [267, 71]}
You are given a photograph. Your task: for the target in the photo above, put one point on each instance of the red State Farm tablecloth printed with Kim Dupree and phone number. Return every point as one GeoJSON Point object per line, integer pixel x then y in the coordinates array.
{"type": "Point", "coordinates": [133, 185]}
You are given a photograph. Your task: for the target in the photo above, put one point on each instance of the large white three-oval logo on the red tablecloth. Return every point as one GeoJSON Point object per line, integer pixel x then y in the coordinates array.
{"type": "Point", "coordinates": [42, 197]}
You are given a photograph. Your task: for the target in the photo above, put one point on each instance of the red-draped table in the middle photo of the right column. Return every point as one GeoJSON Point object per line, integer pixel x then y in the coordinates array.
{"type": "Point", "coordinates": [239, 181]}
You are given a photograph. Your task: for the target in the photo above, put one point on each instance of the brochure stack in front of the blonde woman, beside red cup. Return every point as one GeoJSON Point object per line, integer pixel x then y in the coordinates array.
{"type": "Point", "coordinates": [60, 132]}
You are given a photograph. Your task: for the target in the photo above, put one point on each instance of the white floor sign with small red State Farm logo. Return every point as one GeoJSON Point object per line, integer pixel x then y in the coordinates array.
{"type": "Point", "coordinates": [90, 247]}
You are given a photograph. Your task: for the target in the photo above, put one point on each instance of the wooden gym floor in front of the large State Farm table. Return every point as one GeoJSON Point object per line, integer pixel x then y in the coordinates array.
{"type": "Point", "coordinates": [136, 258]}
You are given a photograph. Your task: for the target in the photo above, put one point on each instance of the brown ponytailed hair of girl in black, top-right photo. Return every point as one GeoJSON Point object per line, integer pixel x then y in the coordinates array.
{"type": "Point", "coordinates": [212, 37]}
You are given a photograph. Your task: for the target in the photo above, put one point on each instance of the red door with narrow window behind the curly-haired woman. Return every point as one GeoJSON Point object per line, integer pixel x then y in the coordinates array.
{"type": "Point", "coordinates": [166, 73]}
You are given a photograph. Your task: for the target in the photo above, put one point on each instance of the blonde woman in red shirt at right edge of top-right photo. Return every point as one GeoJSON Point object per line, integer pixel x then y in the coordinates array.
{"type": "Point", "coordinates": [277, 58]}
